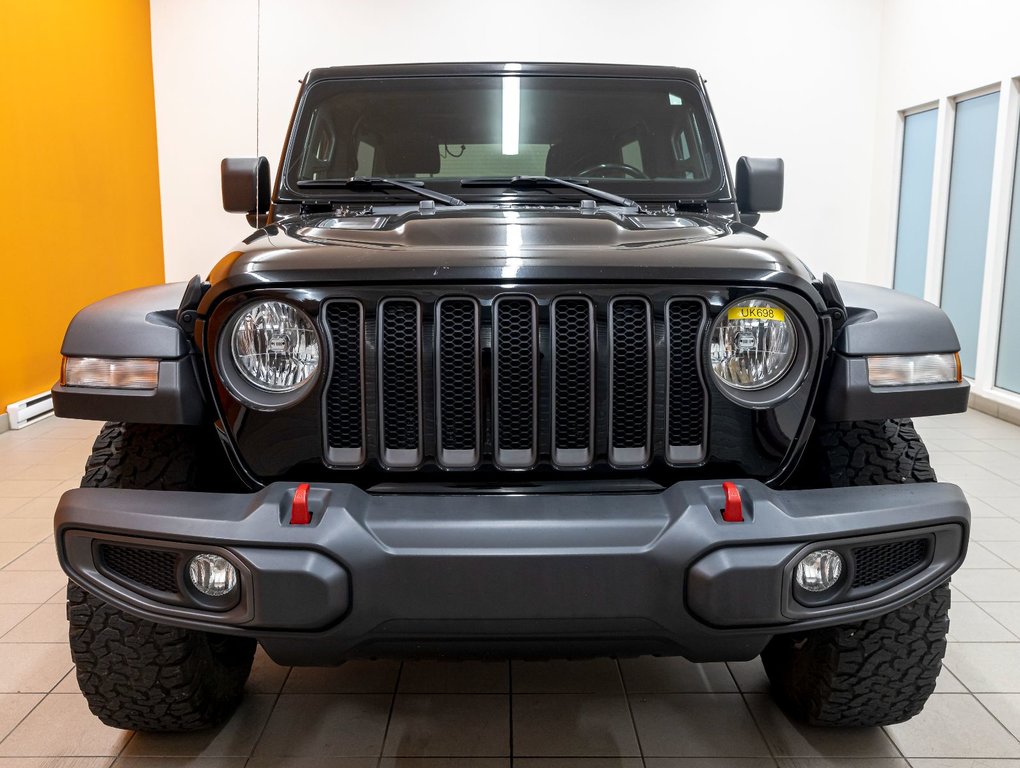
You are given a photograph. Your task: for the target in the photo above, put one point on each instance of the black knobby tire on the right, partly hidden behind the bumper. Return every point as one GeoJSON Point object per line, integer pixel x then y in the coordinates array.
{"type": "Point", "coordinates": [881, 672]}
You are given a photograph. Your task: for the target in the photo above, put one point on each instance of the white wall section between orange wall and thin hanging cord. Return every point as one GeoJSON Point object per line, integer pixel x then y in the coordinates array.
{"type": "Point", "coordinates": [205, 59]}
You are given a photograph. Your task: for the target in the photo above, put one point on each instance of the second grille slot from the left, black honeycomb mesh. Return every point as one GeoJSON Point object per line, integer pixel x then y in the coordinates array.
{"type": "Point", "coordinates": [400, 382]}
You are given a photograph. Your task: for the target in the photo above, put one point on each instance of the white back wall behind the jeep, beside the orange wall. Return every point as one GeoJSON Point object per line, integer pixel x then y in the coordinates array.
{"type": "Point", "coordinates": [790, 78]}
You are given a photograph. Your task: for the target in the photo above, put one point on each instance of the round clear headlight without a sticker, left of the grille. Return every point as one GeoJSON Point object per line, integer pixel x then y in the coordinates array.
{"type": "Point", "coordinates": [275, 346]}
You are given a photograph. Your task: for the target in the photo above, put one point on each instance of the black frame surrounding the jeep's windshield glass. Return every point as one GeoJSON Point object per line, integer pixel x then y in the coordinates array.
{"type": "Point", "coordinates": [289, 190]}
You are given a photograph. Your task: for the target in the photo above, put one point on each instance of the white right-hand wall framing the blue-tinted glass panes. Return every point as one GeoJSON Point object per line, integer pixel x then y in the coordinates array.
{"type": "Point", "coordinates": [934, 52]}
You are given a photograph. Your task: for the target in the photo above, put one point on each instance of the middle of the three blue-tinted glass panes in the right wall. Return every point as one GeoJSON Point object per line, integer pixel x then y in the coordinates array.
{"type": "Point", "coordinates": [967, 226]}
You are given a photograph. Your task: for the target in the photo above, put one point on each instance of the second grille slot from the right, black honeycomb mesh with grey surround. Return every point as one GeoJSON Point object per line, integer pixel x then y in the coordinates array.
{"type": "Point", "coordinates": [630, 382]}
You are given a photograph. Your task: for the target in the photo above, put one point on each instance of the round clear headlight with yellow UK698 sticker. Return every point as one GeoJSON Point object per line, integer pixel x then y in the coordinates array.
{"type": "Point", "coordinates": [754, 343]}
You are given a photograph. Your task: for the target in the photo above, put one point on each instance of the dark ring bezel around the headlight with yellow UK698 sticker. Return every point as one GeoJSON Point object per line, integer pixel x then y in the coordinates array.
{"type": "Point", "coordinates": [787, 385]}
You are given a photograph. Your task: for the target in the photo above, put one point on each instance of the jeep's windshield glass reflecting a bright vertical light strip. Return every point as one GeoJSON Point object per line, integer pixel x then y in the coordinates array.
{"type": "Point", "coordinates": [643, 139]}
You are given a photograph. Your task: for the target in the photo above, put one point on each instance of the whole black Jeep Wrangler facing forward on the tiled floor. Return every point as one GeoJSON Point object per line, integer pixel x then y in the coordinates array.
{"type": "Point", "coordinates": [507, 370]}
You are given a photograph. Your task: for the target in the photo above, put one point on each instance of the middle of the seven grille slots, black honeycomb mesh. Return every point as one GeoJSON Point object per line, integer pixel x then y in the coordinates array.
{"type": "Point", "coordinates": [516, 379]}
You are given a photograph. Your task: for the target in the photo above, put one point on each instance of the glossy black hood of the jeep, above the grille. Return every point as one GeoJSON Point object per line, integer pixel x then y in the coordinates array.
{"type": "Point", "coordinates": [512, 246]}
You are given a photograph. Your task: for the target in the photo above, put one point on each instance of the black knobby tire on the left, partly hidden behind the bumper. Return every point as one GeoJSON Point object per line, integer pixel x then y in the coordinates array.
{"type": "Point", "coordinates": [134, 674]}
